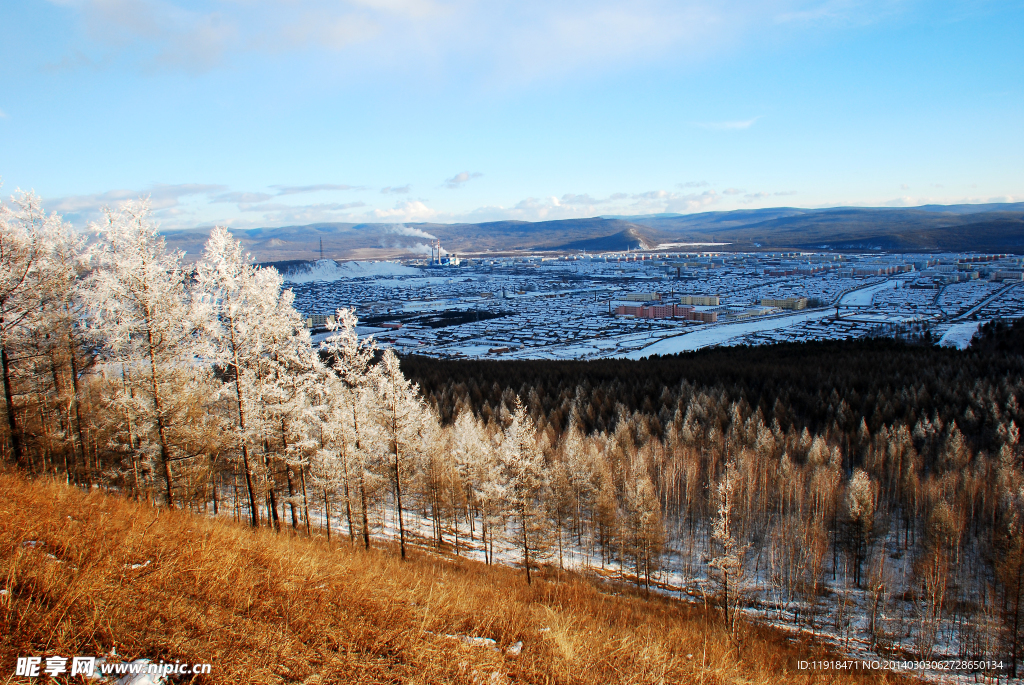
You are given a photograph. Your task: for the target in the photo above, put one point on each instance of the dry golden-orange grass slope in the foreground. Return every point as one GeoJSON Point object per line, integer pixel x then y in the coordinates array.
{"type": "Point", "coordinates": [274, 609]}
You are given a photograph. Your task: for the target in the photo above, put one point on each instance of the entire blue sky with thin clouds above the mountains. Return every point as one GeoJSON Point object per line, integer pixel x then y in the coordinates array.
{"type": "Point", "coordinates": [252, 113]}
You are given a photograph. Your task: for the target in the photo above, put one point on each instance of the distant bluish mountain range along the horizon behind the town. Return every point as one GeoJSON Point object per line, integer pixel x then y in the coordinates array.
{"type": "Point", "coordinates": [928, 229]}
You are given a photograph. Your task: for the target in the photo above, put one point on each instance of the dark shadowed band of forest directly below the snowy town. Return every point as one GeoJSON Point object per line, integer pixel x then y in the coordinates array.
{"type": "Point", "coordinates": [819, 386]}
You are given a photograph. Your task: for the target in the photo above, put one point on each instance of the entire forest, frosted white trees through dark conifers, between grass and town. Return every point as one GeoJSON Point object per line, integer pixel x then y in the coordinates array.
{"type": "Point", "coordinates": [871, 491]}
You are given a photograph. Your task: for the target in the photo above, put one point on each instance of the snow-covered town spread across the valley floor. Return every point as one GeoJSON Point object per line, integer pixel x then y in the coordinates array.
{"type": "Point", "coordinates": [639, 305]}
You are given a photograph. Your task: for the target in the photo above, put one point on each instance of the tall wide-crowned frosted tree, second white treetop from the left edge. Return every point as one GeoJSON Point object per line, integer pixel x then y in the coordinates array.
{"type": "Point", "coordinates": [141, 310]}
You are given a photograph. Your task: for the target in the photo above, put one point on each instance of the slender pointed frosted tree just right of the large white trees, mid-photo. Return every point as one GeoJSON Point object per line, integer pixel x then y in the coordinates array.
{"type": "Point", "coordinates": [523, 481]}
